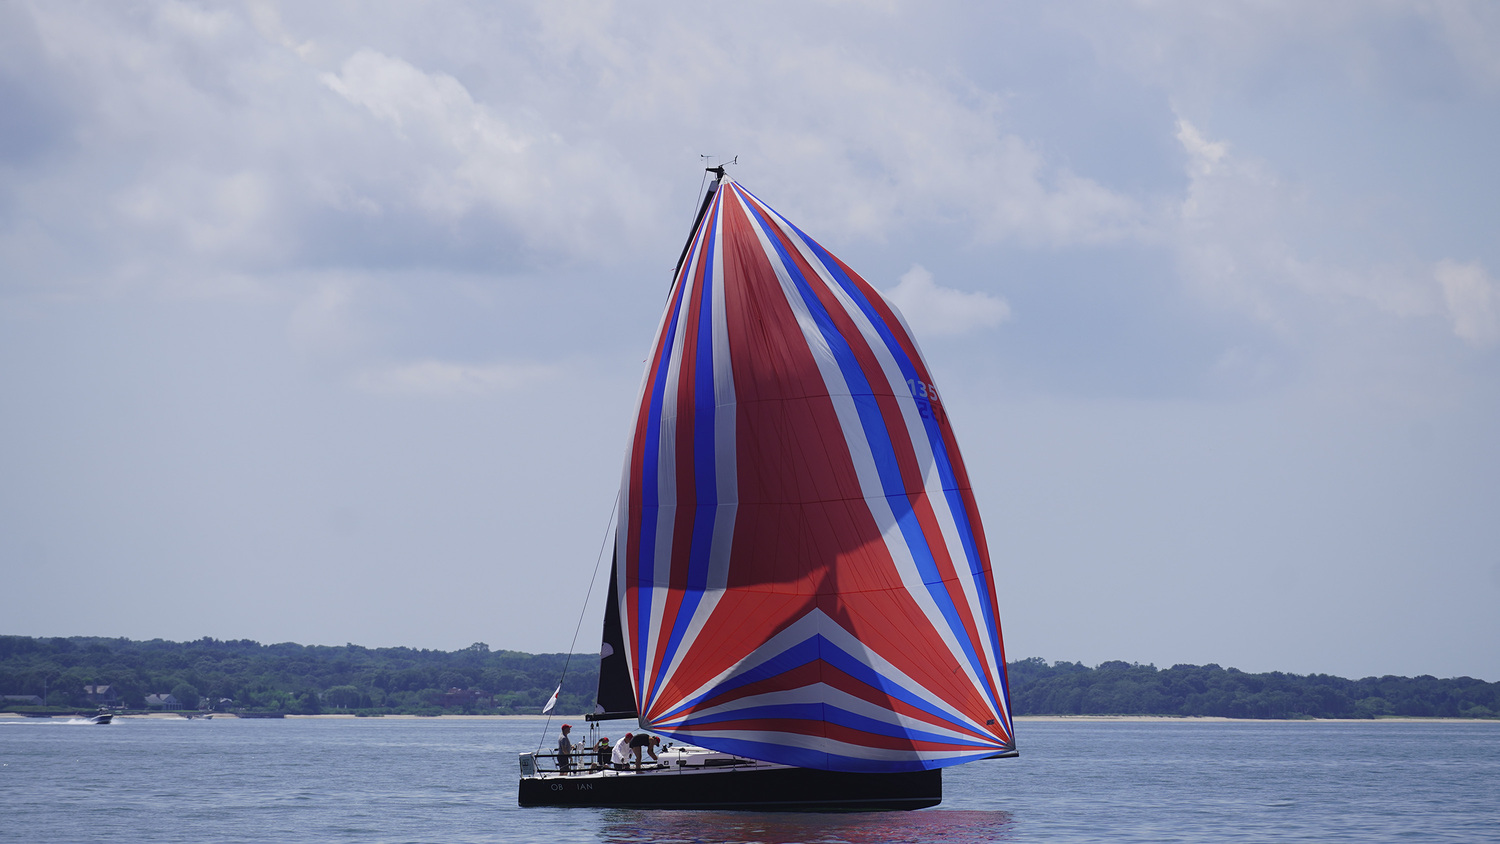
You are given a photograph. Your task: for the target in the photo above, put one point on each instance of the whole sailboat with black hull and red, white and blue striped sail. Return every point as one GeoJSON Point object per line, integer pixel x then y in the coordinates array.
{"type": "Point", "coordinates": [802, 600]}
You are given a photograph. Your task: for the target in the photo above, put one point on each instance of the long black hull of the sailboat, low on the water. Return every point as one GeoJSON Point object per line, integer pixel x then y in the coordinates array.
{"type": "Point", "coordinates": [767, 789]}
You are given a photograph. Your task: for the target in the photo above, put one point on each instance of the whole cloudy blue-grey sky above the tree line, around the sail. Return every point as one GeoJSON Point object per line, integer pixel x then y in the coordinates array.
{"type": "Point", "coordinates": [323, 323]}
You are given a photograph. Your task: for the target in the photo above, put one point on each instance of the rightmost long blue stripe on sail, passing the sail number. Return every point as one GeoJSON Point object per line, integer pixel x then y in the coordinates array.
{"type": "Point", "coordinates": [940, 452]}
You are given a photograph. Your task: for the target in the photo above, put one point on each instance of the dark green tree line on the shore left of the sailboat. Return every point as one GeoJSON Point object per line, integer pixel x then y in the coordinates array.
{"type": "Point", "coordinates": [298, 680]}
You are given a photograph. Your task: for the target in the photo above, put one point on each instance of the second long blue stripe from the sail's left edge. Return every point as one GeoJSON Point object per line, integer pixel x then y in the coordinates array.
{"type": "Point", "coordinates": [704, 449]}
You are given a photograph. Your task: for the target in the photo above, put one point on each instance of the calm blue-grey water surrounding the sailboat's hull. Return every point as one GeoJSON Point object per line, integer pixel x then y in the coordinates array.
{"type": "Point", "coordinates": [455, 782]}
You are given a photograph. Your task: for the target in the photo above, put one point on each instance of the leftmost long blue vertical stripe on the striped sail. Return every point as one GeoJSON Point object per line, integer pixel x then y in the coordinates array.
{"type": "Point", "coordinates": [650, 494]}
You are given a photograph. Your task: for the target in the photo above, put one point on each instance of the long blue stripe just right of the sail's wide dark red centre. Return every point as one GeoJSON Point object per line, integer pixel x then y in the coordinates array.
{"type": "Point", "coordinates": [880, 441]}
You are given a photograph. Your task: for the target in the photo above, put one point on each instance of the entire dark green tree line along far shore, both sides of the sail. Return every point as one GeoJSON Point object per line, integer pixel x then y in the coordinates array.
{"type": "Point", "coordinates": [248, 677]}
